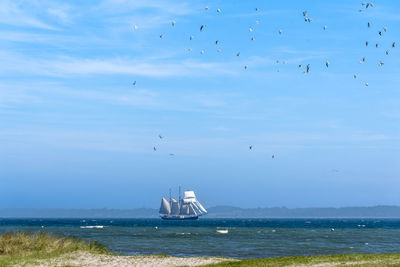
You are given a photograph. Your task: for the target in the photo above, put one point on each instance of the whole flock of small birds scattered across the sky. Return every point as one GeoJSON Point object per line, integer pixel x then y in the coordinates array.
{"type": "Point", "coordinates": [306, 67]}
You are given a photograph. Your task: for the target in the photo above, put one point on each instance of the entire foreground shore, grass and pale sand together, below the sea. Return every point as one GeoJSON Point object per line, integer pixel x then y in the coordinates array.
{"type": "Point", "coordinates": [31, 249]}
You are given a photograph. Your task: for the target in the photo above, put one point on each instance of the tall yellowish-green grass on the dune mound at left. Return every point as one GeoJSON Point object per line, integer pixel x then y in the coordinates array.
{"type": "Point", "coordinates": [23, 248]}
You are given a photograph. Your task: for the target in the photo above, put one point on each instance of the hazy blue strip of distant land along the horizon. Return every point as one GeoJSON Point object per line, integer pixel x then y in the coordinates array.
{"type": "Point", "coordinates": [214, 212]}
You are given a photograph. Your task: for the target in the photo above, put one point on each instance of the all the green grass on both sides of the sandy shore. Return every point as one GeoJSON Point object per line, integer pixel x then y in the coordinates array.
{"type": "Point", "coordinates": [21, 249]}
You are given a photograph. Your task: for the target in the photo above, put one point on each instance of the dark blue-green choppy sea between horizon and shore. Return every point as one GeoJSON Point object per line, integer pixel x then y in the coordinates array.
{"type": "Point", "coordinates": [233, 238]}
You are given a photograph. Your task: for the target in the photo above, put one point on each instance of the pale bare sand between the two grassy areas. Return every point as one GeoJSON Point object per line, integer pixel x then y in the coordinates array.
{"type": "Point", "coordinates": [102, 260]}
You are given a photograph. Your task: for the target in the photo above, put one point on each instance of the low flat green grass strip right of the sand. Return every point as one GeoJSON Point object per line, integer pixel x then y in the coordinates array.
{"type": "Point", "coordinates": [332, 260]}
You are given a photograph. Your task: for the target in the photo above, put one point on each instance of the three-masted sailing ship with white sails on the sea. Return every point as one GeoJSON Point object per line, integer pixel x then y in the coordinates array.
{"type": "Point", "coordinates": [186, 208]}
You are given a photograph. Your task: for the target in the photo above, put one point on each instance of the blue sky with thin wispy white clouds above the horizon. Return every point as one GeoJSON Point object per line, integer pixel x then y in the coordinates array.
{"type": "Point", "coordinates": [76, 133]}
